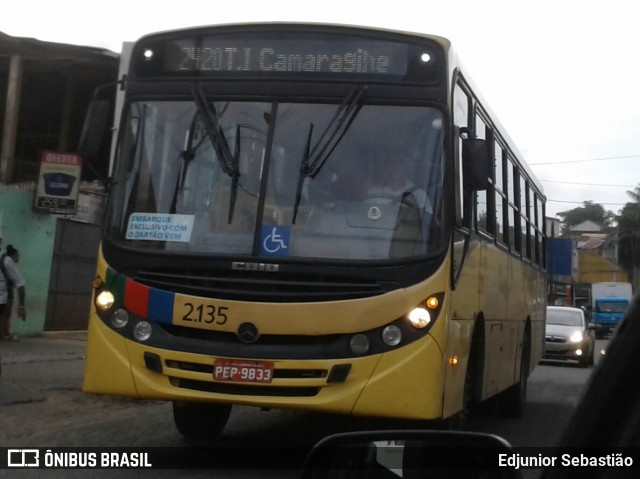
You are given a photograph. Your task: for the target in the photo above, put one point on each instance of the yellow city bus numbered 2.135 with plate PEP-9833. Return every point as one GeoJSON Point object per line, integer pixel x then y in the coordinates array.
{"type": "Point", "coordinates": [314, 217]}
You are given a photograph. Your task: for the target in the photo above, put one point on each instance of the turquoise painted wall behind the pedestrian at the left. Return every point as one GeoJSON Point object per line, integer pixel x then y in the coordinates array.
{"type": "Point", "coordinates": [33, 234]}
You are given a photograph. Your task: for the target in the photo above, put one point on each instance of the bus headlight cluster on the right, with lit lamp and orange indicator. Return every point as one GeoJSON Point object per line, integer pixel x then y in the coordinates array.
{"type": "Point", "coordinates": [418, 319]}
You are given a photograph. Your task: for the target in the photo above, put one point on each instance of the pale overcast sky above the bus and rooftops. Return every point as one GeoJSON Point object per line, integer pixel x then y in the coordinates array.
{"type": "Point", "coordinates": [562, 76]}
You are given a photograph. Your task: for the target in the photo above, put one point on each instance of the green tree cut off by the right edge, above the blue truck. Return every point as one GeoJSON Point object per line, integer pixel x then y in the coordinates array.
{"type": "Point", "coordinates": [629, 234]}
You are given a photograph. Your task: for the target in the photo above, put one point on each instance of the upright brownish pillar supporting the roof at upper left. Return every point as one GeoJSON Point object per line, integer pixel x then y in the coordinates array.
{"type": "Point", "coordinates": [7, 160]}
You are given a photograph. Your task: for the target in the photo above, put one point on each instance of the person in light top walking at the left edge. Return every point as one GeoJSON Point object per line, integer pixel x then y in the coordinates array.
{"type": "Point", "coordinates": [10, 280]}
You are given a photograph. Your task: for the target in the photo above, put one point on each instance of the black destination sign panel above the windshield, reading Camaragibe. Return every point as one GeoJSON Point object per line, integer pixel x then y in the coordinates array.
{"type": "Point", "coordinates": [289, 52]}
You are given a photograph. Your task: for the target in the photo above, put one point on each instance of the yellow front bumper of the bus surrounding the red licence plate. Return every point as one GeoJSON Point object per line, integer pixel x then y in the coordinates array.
{"type": "Point", "coordinates": [119, 366]}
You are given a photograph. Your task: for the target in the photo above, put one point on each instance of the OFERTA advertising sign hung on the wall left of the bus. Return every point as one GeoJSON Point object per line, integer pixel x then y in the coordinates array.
{"type": "Point", "coordinates": [58, 182]}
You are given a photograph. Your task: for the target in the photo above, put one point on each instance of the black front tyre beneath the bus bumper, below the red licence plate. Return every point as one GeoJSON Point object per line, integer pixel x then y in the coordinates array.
{"type": "Point", "coordinates": [200, 420]}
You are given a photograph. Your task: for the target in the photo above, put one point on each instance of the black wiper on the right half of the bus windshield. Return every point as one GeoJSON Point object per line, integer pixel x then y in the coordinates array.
{"type": "Point", "coordinates": [315, 158]}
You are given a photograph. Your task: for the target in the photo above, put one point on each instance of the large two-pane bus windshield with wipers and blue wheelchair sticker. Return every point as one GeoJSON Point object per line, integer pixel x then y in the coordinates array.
{"type": "Point", "coordinates": [279, 179]}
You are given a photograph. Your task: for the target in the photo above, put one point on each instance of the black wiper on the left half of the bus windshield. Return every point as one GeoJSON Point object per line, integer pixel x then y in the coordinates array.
{"type": "Point", "coordinates": [228, 161]}
